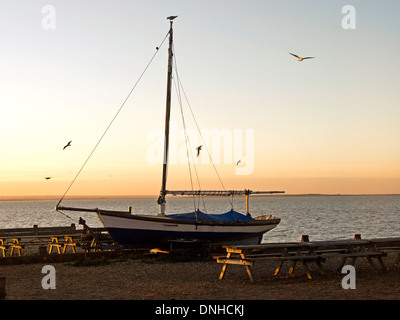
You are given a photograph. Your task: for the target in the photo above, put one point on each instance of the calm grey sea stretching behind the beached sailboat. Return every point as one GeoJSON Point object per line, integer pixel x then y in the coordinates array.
{"type": "Point", "coordinates": [320, 217]}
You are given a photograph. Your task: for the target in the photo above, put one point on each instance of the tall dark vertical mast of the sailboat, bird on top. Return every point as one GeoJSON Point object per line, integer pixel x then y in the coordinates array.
{"type": "Point", "coordinates": [161, 199]}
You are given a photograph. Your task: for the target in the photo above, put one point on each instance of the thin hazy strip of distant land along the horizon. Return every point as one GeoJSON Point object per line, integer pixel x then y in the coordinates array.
{"type": "Point", "coordinates": [110, 197]}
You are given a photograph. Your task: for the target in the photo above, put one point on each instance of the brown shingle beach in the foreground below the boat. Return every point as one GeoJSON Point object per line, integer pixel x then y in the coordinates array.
{"type": "Point", "coordinates": [154, 279]}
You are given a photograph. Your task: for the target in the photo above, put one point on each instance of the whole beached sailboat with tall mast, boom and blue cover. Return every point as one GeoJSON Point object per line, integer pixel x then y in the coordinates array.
{"type": "Point", "coordinates": [135, 230]}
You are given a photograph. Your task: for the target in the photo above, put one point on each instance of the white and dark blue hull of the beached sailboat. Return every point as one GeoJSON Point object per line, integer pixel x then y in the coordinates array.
{"type": "Point", "coordinates": [135, 230]}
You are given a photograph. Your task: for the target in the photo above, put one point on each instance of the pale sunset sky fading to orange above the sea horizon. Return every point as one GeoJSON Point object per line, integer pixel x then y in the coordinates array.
{"type": "Point", "coordinates": [325, 125]}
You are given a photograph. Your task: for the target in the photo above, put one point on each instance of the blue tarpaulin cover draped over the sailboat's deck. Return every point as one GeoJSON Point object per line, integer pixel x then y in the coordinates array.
{"type": "Point", "coordinates": [230, 216]}
